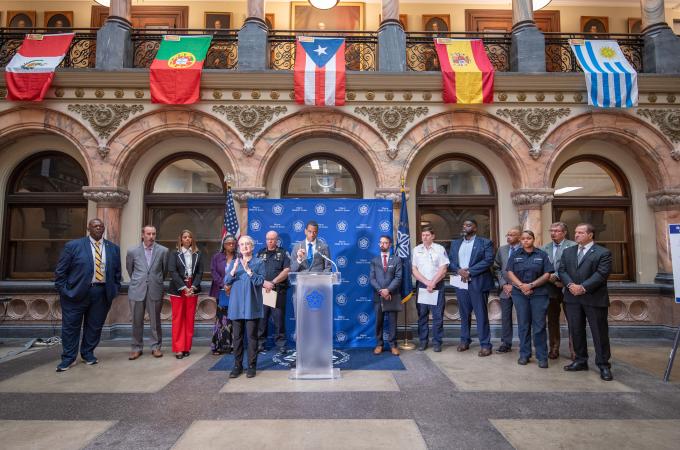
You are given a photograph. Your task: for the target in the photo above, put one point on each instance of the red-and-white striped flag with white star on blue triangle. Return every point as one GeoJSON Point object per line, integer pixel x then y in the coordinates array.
{"type": "Point", "coordinates": [320, 71]}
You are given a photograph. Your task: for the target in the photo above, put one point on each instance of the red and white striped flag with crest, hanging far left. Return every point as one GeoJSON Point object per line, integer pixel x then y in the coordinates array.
{"type": "Point", "coordinates": [30, 72]}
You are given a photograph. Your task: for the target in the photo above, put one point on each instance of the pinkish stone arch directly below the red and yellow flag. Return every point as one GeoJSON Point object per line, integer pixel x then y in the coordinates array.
{"type": "Point", "coordinates": [505, 141]}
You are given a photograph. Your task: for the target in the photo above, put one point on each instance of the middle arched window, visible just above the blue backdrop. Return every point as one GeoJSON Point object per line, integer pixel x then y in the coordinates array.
{"type": "Point", "coordinates": [324, 175]}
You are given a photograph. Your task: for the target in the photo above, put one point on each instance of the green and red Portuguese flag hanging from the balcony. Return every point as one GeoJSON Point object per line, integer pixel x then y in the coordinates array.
{"type": "Point", "coordinates": [176, 71]}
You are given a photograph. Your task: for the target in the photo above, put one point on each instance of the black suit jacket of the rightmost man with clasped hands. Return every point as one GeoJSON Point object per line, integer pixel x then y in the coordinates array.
{"type": "Point", "coordinates": [592, 273]}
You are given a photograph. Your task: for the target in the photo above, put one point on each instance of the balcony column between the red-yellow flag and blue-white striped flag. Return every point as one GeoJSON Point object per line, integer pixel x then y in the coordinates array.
{"type": "Point", "coordinates": [527, 46]}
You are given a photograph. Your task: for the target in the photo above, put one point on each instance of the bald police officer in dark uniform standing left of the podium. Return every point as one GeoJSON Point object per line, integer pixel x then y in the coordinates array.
{"type": "Point", "coordinates": [277, 265]}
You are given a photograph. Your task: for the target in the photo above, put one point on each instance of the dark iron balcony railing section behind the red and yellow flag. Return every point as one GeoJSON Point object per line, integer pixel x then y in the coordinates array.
{"type": "Point", "coordinates": [421, 55]}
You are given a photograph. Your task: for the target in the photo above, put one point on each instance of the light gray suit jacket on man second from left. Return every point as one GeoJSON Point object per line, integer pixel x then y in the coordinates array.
{"type": "Point", "coordinates": [146, 281]}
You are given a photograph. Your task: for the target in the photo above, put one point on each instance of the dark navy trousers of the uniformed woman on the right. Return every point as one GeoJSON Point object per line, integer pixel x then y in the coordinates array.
{"type": "Point", "coordinates": [531, 312]}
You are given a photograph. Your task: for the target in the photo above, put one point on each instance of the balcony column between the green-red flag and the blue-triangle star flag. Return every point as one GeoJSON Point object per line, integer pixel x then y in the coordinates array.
{"type": "Point", "coordinates": [252, 39]}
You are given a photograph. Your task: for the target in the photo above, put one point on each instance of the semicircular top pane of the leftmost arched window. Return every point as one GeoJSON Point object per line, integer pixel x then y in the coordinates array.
{"type": "Point", "coordinates": [51, 174]}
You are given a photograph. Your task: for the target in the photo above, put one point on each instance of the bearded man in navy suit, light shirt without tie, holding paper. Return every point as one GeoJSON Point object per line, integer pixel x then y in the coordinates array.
{"type": "Point", "coordinates": [471, 258]}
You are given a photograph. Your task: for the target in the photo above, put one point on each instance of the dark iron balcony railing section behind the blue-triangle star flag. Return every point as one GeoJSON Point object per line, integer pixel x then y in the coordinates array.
{"type": "Point", "coordinates": [361, 48]}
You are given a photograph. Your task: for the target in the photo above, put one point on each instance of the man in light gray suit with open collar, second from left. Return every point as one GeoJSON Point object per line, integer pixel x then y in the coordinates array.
{"type": "Point", "coordinates": [147, 265]}
